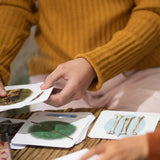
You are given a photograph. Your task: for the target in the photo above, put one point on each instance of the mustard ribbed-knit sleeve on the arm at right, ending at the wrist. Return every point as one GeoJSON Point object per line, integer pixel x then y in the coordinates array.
{"type": "Point", "coordinates": [129, 45]}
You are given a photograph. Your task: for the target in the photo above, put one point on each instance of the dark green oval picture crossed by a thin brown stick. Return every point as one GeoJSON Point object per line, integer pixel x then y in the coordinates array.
{"type": "Point", "coordinates": [59, 126]}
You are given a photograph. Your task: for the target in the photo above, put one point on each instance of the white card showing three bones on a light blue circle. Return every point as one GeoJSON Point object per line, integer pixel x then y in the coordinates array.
{"type": "Point", "coordinates": [119, 124]}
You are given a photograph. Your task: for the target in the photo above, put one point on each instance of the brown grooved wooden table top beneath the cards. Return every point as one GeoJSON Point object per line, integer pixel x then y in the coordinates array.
{"type": "Point", "coordinates": [47, 153]}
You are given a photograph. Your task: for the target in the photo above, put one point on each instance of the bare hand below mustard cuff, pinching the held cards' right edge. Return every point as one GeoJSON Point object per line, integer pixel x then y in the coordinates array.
{"type": "Point", "coordinates": [77, 73]}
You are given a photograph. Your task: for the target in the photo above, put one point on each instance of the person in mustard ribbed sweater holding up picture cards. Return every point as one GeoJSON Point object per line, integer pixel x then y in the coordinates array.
{"type": "Point", "coordinates": [85, 43]}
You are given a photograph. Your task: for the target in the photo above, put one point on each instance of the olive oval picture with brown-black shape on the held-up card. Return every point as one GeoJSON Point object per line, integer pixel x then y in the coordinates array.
{"type": "Point", "coordinates": [15, 96]}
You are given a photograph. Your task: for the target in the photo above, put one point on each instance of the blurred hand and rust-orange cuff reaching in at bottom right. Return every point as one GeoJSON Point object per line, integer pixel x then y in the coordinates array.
{"type": "Point", "coordinates": [131, 148]}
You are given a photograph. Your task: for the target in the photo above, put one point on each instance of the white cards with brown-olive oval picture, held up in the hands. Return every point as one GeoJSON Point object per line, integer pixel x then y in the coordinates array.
{"type": "Point", "coordinates": [21, 95]}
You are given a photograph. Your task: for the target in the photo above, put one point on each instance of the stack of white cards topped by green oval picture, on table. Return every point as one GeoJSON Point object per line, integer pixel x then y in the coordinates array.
{"type": "Point", "coordinates": [60, 129]}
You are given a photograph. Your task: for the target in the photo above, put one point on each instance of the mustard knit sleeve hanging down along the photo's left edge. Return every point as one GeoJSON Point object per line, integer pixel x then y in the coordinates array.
{"type": "Point", "coordinates": [16, 18]}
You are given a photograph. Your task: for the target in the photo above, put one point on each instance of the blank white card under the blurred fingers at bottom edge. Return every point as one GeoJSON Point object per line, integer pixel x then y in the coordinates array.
{"type": "Point", "coordinates": [77, 155]}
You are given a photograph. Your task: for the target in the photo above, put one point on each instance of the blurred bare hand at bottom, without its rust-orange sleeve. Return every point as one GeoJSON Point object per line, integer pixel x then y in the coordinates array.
{"type": "Point", "coordinates": [132, 148]}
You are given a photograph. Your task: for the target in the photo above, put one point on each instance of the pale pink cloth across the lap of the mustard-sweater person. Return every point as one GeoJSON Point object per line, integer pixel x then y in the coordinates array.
{"type": "Point", "coordinates": [129, 91]}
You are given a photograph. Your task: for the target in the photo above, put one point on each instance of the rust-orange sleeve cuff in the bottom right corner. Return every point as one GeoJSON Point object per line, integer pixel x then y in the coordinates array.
{"type": "Point", "coordinates": [154, 145]}
